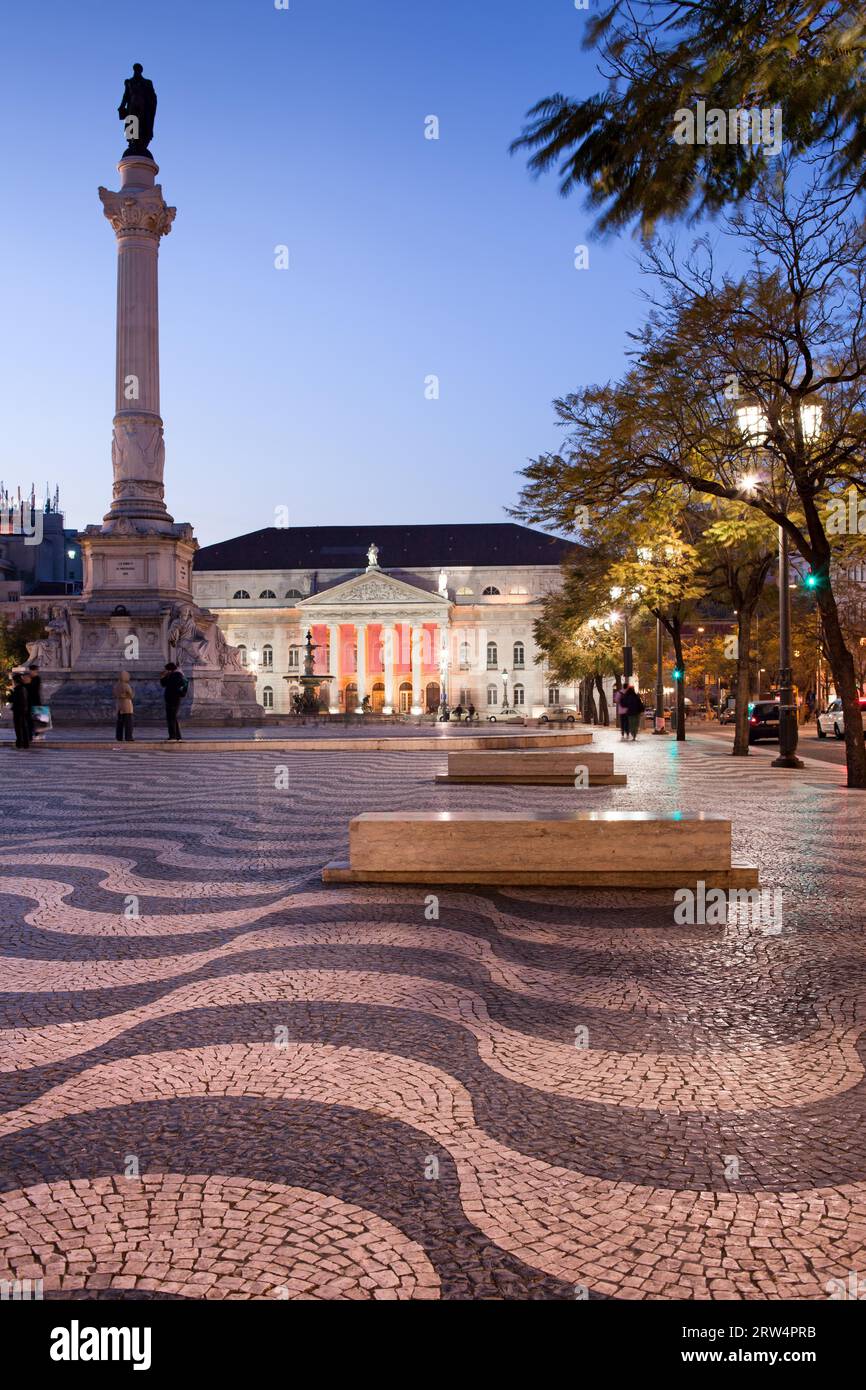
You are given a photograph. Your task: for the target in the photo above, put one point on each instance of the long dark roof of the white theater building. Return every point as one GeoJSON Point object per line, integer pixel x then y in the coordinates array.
{"type": "Point", "coordinates": [401, 548]}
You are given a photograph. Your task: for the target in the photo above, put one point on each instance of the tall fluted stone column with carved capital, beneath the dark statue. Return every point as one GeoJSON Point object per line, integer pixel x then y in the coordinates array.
{"type": "Point", "coordinates": [140, 218]}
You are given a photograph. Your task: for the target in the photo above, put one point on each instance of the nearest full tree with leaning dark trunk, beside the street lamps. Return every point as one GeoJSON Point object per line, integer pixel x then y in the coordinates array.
{"type": "Point", "coordinates": [786, 347]}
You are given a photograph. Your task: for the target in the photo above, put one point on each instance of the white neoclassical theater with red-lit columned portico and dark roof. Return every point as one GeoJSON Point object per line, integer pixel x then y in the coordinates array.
{"type": "Point", "coordinates": [401, 615]}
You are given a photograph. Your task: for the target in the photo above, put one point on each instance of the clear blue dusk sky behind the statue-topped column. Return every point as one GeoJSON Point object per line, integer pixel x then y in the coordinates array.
{"type": "Point", "coordinates": [304, 389]}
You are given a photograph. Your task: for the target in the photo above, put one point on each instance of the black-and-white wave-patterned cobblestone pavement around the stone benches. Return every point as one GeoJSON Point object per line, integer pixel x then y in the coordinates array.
{"type": "Point", "coordinates": [220, 1079]}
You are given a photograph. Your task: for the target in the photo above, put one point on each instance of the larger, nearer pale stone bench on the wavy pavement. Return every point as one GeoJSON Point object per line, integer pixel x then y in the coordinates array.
{"type": "Point", "coordinates": [583, 849]}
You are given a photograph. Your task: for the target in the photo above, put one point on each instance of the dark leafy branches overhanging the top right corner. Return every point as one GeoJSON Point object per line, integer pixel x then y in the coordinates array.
{"type": "Point", "coordinates": [803, 58]}
